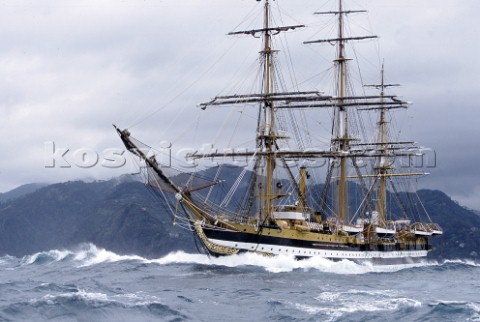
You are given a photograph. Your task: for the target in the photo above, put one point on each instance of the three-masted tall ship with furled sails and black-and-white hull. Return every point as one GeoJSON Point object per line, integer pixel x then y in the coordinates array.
{"type": "Point", "coordinates": [302, 190]}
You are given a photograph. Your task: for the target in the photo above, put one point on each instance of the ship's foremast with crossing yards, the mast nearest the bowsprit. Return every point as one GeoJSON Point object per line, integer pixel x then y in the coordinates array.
{"type": "Point", "coordinates": [266, 133]}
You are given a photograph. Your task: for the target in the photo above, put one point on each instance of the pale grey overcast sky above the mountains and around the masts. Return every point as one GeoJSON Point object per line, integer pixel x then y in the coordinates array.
{"type": "Point", "coordinates": [71, 68]}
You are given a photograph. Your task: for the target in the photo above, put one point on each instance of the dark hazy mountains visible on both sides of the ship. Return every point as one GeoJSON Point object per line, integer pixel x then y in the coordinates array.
{"type": "Point", "coordinates": [127, 217]}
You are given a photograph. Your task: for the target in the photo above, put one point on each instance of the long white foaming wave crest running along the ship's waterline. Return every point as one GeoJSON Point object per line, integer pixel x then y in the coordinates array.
{"type": "Point", "coordinates": [89, 255]}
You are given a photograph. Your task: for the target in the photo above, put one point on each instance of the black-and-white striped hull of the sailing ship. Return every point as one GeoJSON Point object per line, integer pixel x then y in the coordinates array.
{"type": "Point", "coordinates": [263, 242]}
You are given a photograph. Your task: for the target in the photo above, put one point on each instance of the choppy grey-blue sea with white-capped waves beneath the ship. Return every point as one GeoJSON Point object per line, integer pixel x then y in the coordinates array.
{"type": "Point", "coordinates": [88, 283]}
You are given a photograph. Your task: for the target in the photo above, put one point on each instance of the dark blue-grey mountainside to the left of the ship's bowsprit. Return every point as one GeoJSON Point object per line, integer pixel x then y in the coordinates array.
{"type": "Point", "coordinates": [122, 217]}
